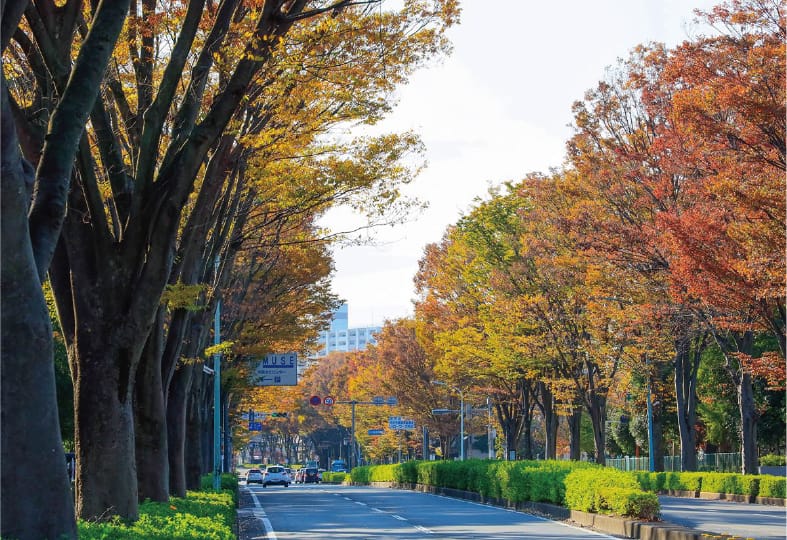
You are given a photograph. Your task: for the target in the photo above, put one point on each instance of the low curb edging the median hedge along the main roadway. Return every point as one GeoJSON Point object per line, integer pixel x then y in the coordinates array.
{"type": "Point", "coordinates": [627, 528]}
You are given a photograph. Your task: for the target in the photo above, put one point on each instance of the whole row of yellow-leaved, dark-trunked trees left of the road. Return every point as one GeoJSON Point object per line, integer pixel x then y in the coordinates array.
{"type": "Point", "coordinates": [154, 155]}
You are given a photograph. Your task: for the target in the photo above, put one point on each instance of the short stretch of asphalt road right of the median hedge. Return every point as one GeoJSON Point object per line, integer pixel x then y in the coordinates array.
{"type": "Point", "coordinates": [758, 521]}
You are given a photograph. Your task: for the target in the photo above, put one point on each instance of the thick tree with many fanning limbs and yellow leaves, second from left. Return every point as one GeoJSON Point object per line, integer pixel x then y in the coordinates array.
{"type": "Point", "coordinates": [126, 210]}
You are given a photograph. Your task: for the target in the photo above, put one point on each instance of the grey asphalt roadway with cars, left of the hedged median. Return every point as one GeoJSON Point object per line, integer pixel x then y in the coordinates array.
{"type": "Point", "coordinates": [355, 513]}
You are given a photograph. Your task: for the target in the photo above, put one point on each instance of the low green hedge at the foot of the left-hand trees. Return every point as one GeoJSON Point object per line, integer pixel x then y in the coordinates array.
{"type": "Point", "coordinates": [201, 515]}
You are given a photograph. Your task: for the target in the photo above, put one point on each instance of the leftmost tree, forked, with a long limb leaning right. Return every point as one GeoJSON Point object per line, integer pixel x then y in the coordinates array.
{"type": "Point", "coordinates": [28, 243]}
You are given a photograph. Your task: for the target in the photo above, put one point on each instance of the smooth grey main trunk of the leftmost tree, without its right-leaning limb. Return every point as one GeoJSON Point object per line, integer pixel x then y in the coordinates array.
{"type": "Point", "coordinates": [35, 493]}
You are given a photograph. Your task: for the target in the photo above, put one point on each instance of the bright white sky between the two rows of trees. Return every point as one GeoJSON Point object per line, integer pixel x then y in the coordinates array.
{"type": "Point", "coordinates": [497, 108]}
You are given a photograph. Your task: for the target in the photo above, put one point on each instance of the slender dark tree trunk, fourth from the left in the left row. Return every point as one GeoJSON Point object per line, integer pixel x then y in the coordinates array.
{"type": "Point", "coordinates": [177, 403]}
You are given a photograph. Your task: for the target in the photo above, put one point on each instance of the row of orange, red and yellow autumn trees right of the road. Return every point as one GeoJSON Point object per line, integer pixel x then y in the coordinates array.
{"type": "Point", "coordinates": [652, 263]}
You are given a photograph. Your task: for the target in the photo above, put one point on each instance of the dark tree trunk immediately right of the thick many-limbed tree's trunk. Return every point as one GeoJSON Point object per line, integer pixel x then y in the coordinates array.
{"type": "Point", "coordinates": [150, 420]}
